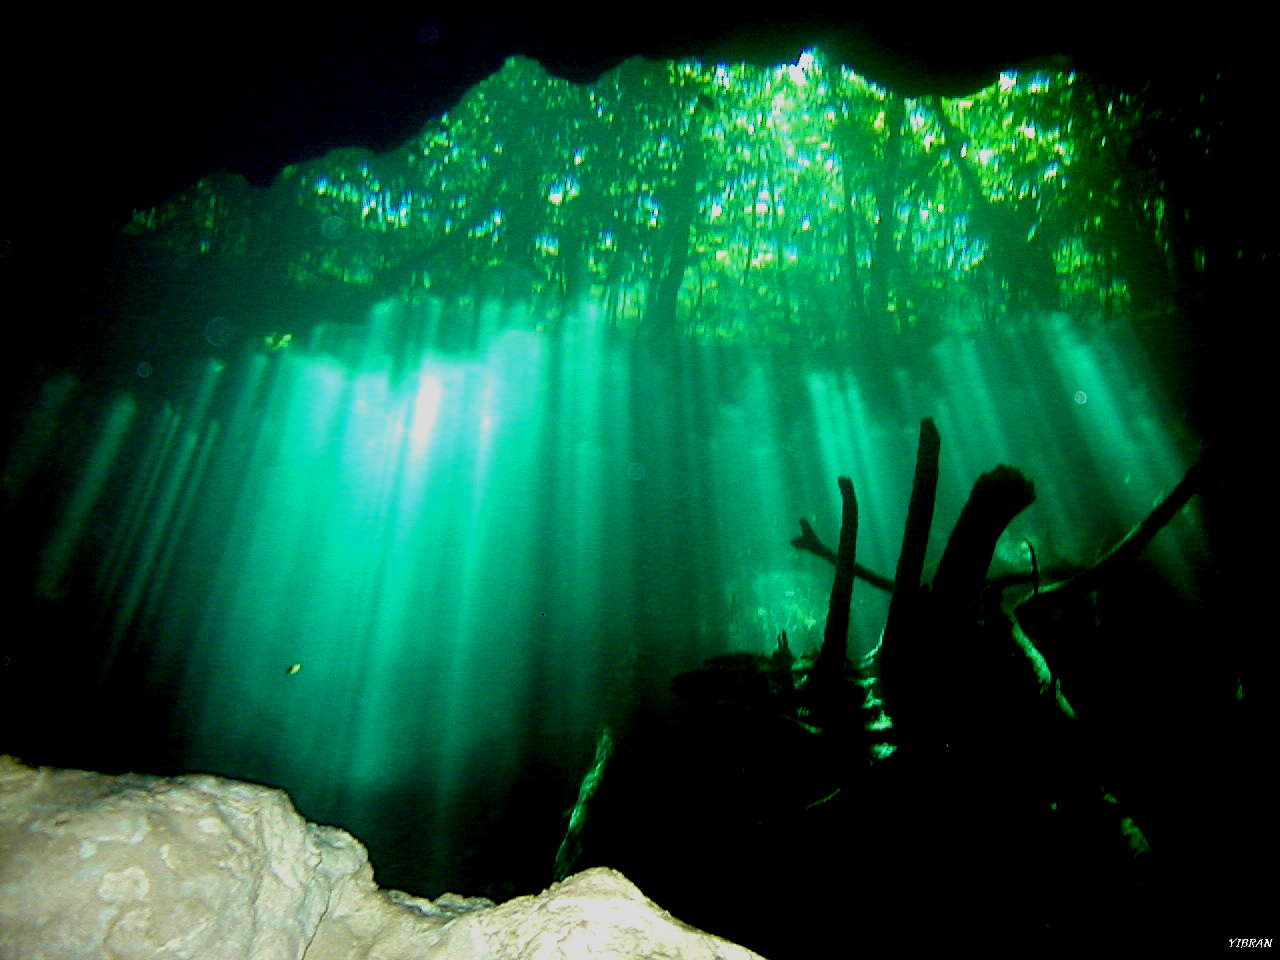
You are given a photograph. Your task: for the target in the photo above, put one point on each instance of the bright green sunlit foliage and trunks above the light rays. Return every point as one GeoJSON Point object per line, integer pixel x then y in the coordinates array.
{"type": "Point", "coordinates": [797, 204]}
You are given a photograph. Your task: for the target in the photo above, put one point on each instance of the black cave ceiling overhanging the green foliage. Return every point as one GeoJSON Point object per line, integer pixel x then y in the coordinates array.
{"type": "Point", "coordinates": [143, 104]}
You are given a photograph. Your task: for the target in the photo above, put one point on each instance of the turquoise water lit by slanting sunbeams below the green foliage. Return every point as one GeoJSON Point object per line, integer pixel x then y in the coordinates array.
{"type": "Point", "coordinates": [412, 586]}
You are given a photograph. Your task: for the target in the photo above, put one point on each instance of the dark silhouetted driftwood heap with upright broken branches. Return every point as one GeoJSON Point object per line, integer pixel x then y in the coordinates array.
{"type": "Point", "coordinates": [944, 776]}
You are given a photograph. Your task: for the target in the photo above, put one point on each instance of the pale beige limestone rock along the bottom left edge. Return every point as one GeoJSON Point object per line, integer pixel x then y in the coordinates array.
{"type": "Point", "coordinates": [202, 867]}
